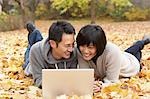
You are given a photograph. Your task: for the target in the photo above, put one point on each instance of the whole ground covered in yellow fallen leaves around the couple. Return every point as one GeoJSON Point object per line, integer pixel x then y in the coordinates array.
{"type": "Point", "coordinates": [15, 85]}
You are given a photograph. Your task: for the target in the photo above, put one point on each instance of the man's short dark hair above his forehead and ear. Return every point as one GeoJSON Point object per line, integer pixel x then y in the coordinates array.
{"type": "Point", "coordinates": [58, 28]}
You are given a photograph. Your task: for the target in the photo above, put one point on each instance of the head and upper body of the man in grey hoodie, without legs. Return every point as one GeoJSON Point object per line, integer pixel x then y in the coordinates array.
{"type": "Point", "coordinates": [56, 52]}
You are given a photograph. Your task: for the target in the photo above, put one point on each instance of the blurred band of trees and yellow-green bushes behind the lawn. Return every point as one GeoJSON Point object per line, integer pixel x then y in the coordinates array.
{"type": "Point", "coordinates": [14, 14]}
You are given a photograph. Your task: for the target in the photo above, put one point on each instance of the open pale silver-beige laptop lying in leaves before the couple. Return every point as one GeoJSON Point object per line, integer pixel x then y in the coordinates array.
{"type": "Point", "coordinates": [56, 82]}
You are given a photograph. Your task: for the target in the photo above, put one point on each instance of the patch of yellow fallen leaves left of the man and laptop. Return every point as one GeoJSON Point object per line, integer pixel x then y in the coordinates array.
{"type": "Point", "coordinates": [13, 83]}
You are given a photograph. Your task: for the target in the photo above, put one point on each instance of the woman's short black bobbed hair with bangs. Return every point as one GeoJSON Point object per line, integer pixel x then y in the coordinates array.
{"type": "Point", "coordinates": [92, 34]}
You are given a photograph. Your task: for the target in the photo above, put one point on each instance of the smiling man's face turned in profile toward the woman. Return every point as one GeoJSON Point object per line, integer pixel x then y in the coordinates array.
{"type": "Point", "coordinates": [64, 48]}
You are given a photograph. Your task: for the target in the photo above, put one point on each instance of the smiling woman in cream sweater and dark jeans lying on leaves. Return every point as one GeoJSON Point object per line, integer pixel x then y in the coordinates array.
{"type": "Point", "coordinates": [108, 61]}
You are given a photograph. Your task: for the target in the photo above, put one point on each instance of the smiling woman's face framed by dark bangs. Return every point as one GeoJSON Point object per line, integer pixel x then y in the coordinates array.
{"type": "Point", "coordinates": [88, 52]}
